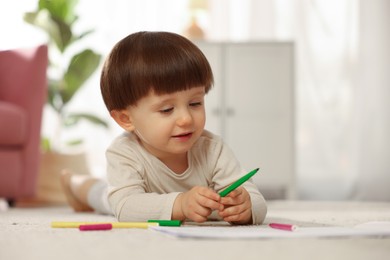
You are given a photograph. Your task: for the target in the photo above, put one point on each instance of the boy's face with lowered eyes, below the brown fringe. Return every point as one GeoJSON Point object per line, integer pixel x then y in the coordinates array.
{"type": "Point", "coordinates": [169, 124]}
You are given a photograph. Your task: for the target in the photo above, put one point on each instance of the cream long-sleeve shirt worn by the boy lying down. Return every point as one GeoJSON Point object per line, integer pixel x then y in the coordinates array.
{"type": "Point", "coordinates": [141, 187]}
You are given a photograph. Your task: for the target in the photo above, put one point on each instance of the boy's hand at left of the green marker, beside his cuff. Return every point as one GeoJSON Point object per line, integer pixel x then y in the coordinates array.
{"type": "Point", "coordinates": [196, 204]}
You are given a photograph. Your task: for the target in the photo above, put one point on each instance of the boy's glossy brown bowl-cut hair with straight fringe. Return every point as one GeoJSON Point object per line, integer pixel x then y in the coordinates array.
{"type": "Point", "coordinates": [142, 62]}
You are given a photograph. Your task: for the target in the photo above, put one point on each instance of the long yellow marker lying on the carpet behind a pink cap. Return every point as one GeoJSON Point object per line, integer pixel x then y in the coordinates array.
{"type": "Point", "coordinates": [59, 224]}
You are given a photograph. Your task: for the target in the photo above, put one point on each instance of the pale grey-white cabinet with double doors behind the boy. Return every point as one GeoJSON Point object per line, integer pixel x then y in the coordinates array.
{"type": "Point", "coordinates": [252, 107]}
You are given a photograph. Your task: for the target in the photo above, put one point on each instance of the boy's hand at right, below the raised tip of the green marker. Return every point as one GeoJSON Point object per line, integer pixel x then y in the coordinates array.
{"type": "Point", "coordinates": [237, 207]}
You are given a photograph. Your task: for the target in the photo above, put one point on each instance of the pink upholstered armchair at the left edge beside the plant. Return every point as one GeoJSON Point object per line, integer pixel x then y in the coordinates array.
{"type": "Point", "coordinates": [22, 97]}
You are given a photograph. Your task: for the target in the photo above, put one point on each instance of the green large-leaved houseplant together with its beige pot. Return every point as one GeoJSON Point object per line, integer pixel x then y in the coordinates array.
{"type": "Point", "coordinates": [68, 70]}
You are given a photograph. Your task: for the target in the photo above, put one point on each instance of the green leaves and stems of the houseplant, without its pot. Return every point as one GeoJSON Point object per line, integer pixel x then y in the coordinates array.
{"type": "Point", "coordinates": [68, 70]}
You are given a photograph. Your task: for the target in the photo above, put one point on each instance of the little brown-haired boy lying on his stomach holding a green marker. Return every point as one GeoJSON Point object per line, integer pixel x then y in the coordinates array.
{"type": "Point", "coordinates": [165, 165]}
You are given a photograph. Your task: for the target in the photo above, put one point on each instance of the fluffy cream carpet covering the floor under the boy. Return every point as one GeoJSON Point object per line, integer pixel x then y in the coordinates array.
{"type": "Point", "coordinates": [25, 233]}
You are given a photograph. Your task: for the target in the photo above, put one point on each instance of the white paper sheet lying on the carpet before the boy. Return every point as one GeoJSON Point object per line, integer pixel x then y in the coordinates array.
{"type": "Point", "coordinates": [377, 229]}
